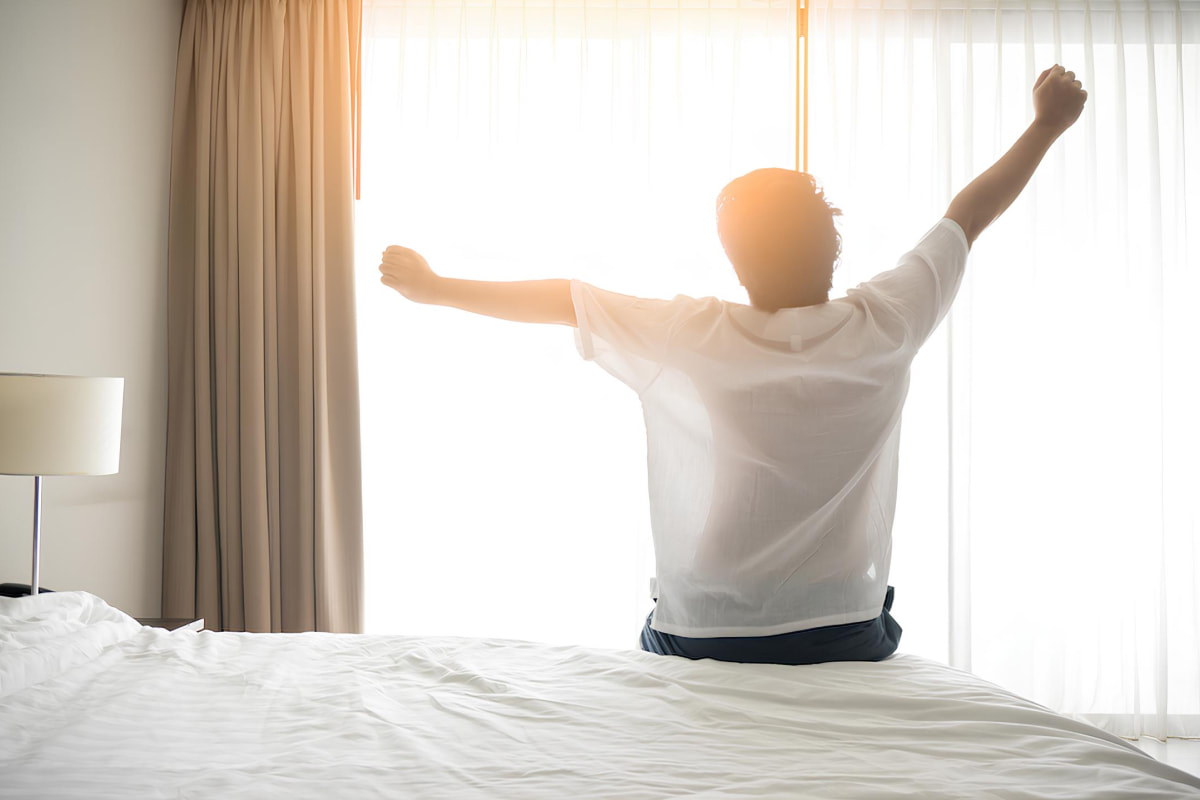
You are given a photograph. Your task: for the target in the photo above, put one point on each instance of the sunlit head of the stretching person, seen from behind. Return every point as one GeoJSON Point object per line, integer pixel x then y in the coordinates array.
{"type": "Point", "coordinates": [778, 231]}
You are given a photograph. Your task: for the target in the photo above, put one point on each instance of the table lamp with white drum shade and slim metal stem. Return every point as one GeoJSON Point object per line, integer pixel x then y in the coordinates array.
{"type": "Point", "coordinates": [58, 425]}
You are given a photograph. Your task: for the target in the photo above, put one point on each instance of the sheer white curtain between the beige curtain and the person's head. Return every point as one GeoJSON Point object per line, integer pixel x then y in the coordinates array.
{"type": "Point", "coordinates": [505, 478]}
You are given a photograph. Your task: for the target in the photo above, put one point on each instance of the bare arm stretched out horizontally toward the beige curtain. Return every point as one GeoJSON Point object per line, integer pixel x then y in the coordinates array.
{"type": "Point", "coordinates": [521, 302]}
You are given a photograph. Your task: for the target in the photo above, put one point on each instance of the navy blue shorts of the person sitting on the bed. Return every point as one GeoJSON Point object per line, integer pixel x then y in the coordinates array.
{"type": "Point", "coordinates": [871, 641]}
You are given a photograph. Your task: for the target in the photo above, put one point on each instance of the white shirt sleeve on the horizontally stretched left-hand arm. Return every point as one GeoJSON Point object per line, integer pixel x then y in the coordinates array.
{"type": "Point", "coordinates": [631, 338]}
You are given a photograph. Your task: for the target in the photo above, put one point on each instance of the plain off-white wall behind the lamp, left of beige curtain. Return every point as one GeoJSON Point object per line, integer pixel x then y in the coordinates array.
{"type": "Point", "coordinates": [86, 110]}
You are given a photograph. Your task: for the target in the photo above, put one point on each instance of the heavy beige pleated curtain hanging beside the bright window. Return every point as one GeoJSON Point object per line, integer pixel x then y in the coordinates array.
{"type": "Point", "coordinates": [263, 527]}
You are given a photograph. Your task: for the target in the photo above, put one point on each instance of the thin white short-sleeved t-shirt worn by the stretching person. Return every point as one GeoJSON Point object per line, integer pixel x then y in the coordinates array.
{"type": "Point", "coordinates": [772, 441]}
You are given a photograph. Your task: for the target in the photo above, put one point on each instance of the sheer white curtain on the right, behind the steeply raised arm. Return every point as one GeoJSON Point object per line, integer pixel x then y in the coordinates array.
{"type": "Point", "coordinates": [1051, 516]}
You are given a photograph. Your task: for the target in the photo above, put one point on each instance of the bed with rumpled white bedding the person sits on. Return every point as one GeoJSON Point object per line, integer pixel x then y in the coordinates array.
{"type": "Point", "coordinates": [95, 706]}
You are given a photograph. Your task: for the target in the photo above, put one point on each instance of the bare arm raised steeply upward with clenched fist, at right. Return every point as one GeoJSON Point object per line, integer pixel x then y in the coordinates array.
{"type": "Point", "coordinates": [1058, 101]}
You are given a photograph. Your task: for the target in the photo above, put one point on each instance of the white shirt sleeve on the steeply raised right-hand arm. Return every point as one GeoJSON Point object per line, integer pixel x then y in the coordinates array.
{"type": "Point", "coordinates": [922, 287]}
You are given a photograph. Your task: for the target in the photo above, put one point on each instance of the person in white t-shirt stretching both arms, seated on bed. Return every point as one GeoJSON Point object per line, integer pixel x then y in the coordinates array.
{"type": "Point", "coordinates": [773, 429]}
